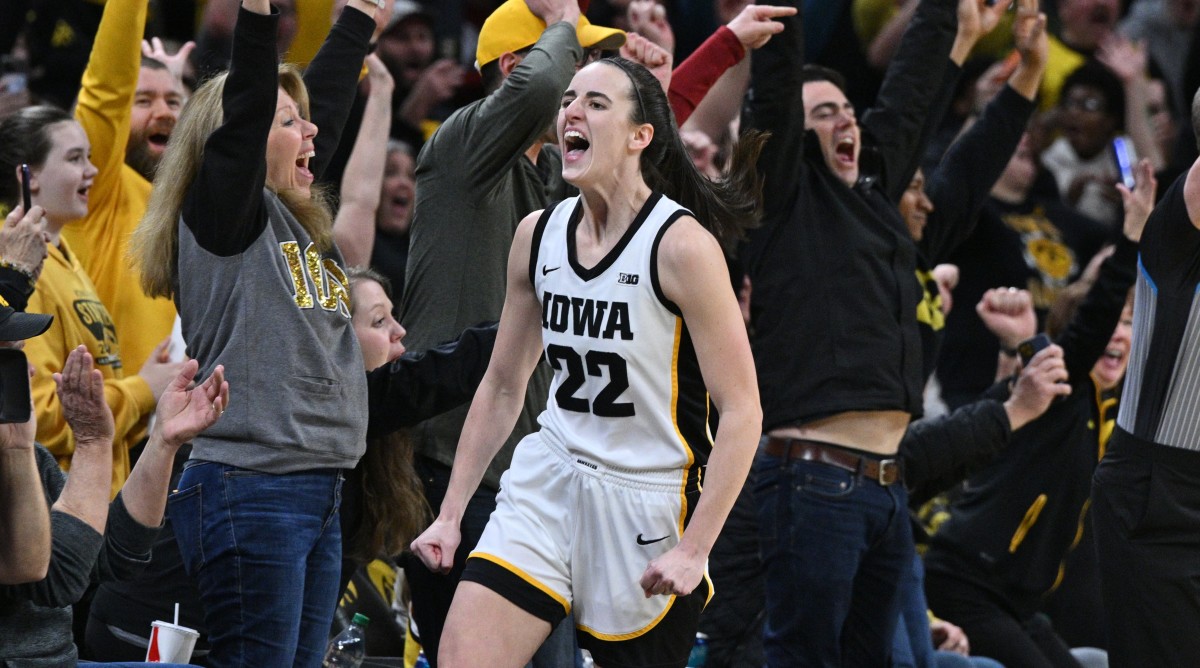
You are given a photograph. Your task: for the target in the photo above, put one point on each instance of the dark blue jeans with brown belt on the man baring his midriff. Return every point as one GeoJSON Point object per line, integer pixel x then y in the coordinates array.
{"type": "Point", "coordinates": [836, 547]}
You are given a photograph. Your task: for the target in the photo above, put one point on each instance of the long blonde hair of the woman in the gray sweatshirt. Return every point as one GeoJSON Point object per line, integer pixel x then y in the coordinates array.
{"type": "Point", "coordinates": [154, 245]}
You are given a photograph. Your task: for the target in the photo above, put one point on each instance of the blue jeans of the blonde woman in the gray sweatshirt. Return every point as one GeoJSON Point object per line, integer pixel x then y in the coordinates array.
{"type": "Point", "coordinates": [266, 552]}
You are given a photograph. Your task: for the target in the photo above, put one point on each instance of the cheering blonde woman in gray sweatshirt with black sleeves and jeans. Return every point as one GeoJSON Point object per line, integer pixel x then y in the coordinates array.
{"type": "Point", "coordinates": [238, 236]}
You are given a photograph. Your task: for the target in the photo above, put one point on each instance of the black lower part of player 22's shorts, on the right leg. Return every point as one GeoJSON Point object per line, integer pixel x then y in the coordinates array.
{"type": "Point", "coordinates": [667, 646]}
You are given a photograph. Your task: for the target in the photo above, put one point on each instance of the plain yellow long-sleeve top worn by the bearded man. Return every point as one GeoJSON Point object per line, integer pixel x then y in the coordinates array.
{"type": "Point", "coordinates": [119, 195]}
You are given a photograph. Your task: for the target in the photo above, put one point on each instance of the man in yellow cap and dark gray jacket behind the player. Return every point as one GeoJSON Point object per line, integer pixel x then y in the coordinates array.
{"type": "Point", "coordinates": [485, 168]}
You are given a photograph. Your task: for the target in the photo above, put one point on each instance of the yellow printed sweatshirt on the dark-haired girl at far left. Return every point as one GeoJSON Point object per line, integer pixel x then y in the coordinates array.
{"type": "Point", "coordinates": [65, 292]}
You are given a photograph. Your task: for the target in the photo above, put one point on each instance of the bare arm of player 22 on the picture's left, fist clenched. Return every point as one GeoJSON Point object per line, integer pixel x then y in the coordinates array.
{"type": "Point", "coordinates": [497, 404]}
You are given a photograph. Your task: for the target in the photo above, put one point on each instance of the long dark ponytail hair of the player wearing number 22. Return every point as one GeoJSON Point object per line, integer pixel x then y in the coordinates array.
{"type": "Point", "coordinates": [727, 208]}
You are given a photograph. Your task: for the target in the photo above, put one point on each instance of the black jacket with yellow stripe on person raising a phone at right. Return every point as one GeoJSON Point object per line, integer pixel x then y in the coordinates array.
{"type": "Point", "coordinates": [1019, 516]}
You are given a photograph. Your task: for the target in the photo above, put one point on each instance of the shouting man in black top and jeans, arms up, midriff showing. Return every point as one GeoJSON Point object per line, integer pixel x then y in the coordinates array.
{"type": "Point", "coordinates": [838, 348]}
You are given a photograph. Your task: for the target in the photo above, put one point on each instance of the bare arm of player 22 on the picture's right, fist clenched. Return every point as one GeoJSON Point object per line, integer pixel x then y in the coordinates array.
{"type": "Point", "coordinates": [711, 311]}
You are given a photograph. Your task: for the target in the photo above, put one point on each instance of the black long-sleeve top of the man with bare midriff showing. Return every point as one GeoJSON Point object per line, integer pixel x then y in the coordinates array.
{"type": "Point", "coordinates": [833, 268]}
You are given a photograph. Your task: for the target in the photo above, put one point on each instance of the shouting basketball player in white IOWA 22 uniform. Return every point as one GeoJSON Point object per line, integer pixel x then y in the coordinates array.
{"type": "Point", "coordinates": [626, 293]}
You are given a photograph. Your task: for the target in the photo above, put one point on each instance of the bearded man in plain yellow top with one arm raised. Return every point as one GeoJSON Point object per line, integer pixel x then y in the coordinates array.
{"type": "Point", "coordinates": [129, 112]}
